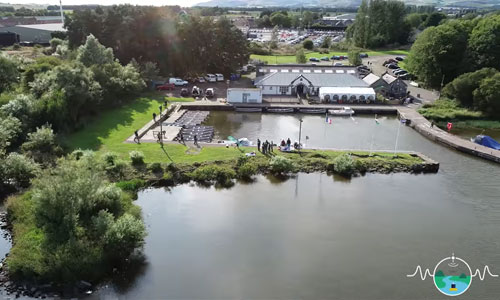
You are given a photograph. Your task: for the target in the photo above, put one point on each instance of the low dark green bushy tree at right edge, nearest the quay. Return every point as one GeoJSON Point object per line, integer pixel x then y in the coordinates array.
{"type": "Point", "coordinates": [487, 96]}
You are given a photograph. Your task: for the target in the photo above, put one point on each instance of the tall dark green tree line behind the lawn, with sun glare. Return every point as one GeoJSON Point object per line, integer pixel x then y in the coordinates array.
{"type": "Point", "coordinates": [178, 44]}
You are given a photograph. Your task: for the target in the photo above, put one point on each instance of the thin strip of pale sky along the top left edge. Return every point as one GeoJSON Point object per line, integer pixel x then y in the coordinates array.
{"type": "Point", "coordinates": [183, 3]}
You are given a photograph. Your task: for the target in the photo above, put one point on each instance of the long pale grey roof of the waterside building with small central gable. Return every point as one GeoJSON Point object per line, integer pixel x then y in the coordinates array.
{"type": "Point", "coordinates": [316, 79]}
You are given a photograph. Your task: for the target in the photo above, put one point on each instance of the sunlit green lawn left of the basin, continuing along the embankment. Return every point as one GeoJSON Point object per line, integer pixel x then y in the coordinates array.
{"type": "Point", "coordinates": [109, 131]}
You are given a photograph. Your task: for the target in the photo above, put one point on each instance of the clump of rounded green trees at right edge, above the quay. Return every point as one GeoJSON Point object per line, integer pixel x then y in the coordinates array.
{"type": "Point", "coordinates": [463, 57]}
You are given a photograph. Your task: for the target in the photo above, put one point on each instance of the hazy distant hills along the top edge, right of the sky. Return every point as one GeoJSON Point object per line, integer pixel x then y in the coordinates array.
{"type": "Point", "coordinates": [343, 3]}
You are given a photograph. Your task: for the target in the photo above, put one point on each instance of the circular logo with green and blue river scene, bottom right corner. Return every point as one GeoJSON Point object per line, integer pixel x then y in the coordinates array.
{"type": "Point", "coordinates": [452, 276]}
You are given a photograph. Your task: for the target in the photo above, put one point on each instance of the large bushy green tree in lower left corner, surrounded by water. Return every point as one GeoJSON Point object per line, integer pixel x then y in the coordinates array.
{"type": "Point", "coordinates": [82, 224]}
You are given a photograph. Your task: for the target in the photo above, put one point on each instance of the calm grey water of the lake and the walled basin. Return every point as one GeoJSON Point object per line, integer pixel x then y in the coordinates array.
{"type": "Point", "coordinates": [318, 236]}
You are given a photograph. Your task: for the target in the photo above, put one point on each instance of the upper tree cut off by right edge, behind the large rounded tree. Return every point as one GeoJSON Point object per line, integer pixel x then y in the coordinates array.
{"type": "Point", "coordinates": [484, 42]}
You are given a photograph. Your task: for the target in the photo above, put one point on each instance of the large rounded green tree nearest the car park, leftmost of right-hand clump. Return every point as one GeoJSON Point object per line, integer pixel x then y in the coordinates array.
{"type": "Point", "coordinates": [438, 54]}
